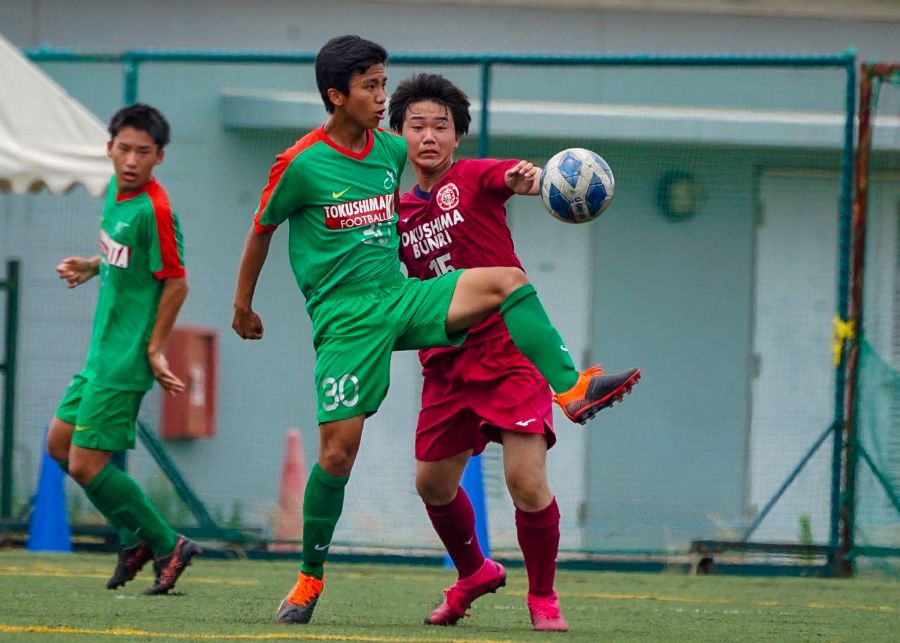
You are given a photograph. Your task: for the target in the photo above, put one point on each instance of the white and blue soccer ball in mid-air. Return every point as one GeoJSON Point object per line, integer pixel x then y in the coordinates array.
{"type": "Point", "coordinates": [576, 185]}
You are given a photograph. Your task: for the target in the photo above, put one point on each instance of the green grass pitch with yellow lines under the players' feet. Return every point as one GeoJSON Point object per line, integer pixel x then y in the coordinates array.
{"type": "Point", "coordinates": [62, 597]}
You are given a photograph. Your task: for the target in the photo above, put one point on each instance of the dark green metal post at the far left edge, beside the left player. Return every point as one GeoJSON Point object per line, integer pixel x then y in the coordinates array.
{"type": "Point", "coordinates": [9, 385]}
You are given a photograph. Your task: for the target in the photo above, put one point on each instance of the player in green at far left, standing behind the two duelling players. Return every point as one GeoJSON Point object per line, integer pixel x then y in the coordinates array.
{"type": "Point", "coordinates": [142, 287]}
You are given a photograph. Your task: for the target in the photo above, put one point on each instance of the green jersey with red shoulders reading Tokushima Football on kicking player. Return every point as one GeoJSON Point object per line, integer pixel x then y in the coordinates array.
{"type": "Point", "coordinates": [341, 209]}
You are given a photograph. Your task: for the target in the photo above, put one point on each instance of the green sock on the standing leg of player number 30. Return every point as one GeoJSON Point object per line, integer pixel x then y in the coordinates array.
{"type": "Point", "coordinates": [322, 506]}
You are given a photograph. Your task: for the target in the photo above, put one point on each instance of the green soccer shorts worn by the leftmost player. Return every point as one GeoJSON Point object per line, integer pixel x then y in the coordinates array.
{"type": "Point", "coordinates": [103, 417]}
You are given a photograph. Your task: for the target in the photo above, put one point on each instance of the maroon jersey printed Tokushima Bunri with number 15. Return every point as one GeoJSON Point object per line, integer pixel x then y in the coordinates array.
{"type": "Point", "coordinates": [461, 223]}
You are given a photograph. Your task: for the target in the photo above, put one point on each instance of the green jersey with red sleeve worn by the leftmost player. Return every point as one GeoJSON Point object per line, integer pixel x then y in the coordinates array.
{"type": "Point", "coordinates": [140, 247]}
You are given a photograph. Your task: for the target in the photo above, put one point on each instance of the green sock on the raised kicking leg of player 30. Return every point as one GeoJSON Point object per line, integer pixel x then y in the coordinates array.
{"type": "Point", "coordinates": [537, 338]}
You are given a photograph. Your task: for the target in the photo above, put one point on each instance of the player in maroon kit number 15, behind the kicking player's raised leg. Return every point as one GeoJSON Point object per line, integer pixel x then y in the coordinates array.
{"type": "Point", "coordinates": [485, 390]}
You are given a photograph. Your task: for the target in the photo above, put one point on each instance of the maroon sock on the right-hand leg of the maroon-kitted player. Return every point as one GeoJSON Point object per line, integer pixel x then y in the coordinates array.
{"type": "Point", "coordinates": [538, 533]}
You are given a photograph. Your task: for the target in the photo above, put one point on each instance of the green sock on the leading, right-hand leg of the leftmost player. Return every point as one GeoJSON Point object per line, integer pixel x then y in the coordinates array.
{"type": "Point", "coordinates": [116, 494]}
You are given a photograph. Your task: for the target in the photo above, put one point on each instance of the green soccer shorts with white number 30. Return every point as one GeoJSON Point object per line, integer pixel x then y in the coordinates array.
{"type": "Point", "coordinates": [356, 328]}
